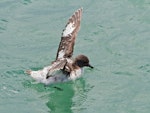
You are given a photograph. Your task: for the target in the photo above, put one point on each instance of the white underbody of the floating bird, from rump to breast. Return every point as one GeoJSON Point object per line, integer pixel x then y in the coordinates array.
{"type": "Point", "coordinates": [56, 77]}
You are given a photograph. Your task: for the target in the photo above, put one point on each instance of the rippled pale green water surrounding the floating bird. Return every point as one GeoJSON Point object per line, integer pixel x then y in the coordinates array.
{"type": "Point", "coordinates": [115, 34]}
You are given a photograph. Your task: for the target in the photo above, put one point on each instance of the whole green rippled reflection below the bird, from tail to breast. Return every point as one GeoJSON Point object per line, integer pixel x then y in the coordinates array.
{"type": "Point", "coordinates": [67, 100]}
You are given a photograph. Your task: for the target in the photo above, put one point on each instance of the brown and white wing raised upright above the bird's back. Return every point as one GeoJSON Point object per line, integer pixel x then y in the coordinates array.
{"type": "Point", "coordinates": [69, 34]}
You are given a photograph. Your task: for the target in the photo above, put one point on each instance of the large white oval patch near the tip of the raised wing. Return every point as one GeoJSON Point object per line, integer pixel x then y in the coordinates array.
{"type": "Point", "coordinates": [69, 29]}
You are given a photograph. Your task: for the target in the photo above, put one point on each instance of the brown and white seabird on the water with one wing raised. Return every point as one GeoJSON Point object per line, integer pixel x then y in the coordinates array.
{"type": "Point", "coordinates": [64, 68]}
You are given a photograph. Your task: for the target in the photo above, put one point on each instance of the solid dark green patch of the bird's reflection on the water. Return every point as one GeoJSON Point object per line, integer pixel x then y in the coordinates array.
{"type": "Point", "coordinates": [61, 101]}
